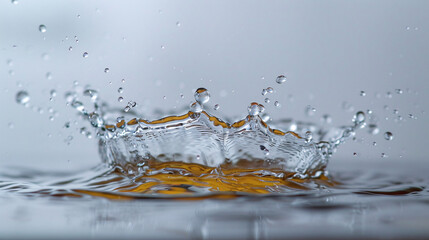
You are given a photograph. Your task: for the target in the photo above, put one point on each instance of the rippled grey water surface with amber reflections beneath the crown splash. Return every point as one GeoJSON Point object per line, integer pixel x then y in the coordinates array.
{"type": "Point", "coordinates": [356, 200]}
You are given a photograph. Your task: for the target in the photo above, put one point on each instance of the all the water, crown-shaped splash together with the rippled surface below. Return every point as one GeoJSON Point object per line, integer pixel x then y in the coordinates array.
{"type": "Point", "coordinates": [195, 176]}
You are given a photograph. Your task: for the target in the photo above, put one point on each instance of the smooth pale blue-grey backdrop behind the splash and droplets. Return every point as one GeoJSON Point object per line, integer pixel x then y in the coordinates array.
{"type": "Point", "coordinates": [329, 50]}
